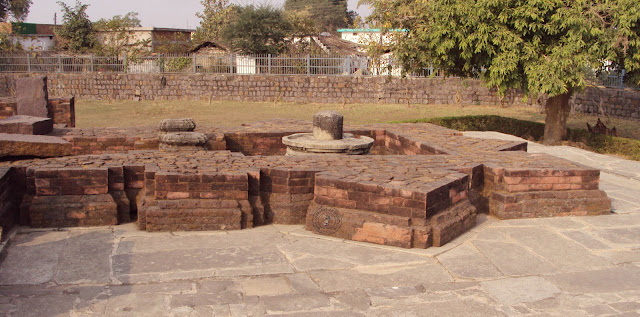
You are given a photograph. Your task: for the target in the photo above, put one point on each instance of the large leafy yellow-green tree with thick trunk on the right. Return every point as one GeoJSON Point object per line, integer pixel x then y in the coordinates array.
{"type": "Point", "coordinates": [540, 47]}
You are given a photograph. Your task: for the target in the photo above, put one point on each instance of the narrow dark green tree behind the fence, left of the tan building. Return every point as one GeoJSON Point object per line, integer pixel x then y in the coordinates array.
{"type": "Point", "coordinates": [76, 33]}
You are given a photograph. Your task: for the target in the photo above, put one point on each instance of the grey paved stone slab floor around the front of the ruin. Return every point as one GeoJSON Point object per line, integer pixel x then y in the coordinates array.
{"type": "Point", "coordinates": [576, 266]}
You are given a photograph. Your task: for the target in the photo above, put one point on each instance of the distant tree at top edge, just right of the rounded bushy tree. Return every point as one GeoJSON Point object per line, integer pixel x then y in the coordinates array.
{"type": "Point", "coordinates": [328, 15]}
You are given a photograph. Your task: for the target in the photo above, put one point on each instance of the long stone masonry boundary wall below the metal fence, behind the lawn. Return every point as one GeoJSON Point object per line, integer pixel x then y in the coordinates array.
{"type": "Point", "coordinates": [329, 89]}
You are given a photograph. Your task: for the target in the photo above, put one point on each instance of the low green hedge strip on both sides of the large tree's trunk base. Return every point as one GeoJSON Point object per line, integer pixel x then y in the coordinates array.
{"type": "Point", "coordinates": [629, 148]}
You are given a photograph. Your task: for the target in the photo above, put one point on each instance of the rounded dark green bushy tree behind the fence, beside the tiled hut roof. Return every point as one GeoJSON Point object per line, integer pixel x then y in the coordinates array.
{"type": "Point", "coordinates": [257, 30]}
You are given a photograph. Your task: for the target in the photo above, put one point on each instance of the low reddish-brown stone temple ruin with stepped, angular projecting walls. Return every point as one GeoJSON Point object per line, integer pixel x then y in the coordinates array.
{"type": "Point", "coordinates": [421, 185]}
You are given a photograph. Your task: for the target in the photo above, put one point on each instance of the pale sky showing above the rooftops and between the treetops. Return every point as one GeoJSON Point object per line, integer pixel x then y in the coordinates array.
{"type": "Point", "coordinates": [158, 13]}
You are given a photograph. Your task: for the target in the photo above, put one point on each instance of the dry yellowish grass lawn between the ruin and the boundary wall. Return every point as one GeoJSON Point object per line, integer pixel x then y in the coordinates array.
{"type": "Point", "coordinates": [104, 113]}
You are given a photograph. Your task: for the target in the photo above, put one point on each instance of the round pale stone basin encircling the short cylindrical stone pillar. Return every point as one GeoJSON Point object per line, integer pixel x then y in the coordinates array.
{"type": "Point", "coordinates": [305, 143]}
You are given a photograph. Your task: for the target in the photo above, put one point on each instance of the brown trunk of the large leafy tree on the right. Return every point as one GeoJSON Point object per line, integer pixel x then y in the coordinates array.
{"type": "Point", "coordinates": [557, 108]}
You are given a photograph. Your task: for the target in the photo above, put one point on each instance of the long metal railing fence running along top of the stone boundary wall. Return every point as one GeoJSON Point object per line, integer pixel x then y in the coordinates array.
{"type": "Point", "coordinates": [44, 62]}
